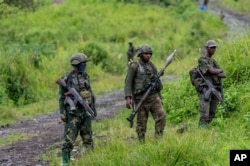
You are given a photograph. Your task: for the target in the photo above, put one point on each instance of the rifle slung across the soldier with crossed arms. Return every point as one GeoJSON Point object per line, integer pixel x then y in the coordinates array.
{"type": "Point", "coordinates": [212, 90]}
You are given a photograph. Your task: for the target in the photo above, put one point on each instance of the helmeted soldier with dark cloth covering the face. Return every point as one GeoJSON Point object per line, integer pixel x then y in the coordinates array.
{"type": "Point", "coordinates": [77, 120]}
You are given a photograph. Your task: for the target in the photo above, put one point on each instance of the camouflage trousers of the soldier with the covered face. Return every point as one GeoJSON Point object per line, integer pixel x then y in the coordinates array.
{"type": "Point", "coordinates": [77, 124]}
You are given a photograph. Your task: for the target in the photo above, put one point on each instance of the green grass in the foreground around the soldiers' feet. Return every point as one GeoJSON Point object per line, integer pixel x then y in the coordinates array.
{"type": "Point", "coordinates": [117, 144]}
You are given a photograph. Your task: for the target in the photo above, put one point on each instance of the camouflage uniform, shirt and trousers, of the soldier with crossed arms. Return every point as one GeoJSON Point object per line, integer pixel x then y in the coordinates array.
{"type": "Point", "coordinates": [208, 108]}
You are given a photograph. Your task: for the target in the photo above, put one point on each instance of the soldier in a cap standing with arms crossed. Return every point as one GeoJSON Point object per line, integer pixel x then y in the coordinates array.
{"type": "Point", "coordinates": [212, 72]}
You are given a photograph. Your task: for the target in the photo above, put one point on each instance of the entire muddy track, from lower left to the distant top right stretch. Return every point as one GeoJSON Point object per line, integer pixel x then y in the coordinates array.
{"type": "Point", "coordinates": [46, 131]}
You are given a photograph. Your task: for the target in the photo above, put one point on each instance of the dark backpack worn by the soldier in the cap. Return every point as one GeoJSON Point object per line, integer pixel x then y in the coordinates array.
{"type": "Point", "coordinates": [196, 79]}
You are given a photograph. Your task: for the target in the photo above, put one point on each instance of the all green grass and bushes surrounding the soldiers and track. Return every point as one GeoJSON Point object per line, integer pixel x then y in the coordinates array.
{"type": "Point", "coordinates": [35, 51]}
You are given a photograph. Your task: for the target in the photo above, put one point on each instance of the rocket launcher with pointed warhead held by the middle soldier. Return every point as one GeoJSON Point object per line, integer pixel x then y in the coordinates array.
{"type": "Point", "coordinates": [150, 88]}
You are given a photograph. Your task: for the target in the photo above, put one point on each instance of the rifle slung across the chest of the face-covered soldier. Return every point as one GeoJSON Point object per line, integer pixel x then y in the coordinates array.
{"type": "Point", "coordinates": [77, 98]}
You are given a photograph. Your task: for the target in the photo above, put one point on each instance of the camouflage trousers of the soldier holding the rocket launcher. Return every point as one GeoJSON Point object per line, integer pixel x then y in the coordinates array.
{"type": "Point", "coordinates": [154, 106]}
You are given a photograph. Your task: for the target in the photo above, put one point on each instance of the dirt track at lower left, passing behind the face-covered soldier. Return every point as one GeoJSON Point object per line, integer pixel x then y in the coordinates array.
{"type": "Point", "coordinates": [47, 130]}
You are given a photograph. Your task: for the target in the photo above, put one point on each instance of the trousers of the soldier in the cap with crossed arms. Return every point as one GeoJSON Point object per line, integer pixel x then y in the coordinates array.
{"type": "Point", "coordinates": [207, 109]}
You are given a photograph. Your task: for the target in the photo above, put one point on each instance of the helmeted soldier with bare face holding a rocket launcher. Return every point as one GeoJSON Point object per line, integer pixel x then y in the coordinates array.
{"type": "Point", "coordinates": [139, 76]}
